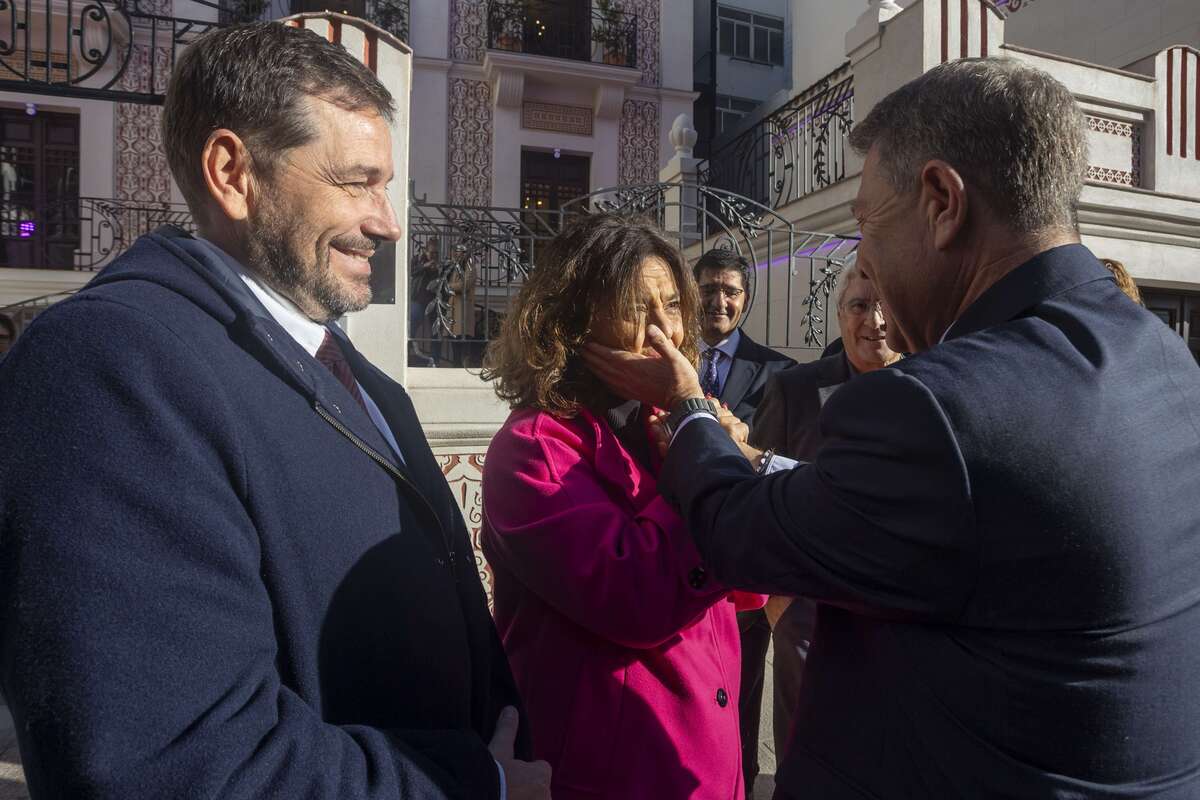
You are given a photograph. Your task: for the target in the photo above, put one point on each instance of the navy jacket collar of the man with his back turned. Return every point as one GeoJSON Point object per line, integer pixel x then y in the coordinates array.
{"type": "Point", "coordinates": [1040, 279]}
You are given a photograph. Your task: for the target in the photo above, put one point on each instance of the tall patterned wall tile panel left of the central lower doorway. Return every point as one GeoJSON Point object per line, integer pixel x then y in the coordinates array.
{"type": "Point", "coordinates": [470, 143]}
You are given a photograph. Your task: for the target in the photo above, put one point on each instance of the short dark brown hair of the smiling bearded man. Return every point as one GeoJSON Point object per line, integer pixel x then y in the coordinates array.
{"type": "Point", "coordinates": [254, 81]}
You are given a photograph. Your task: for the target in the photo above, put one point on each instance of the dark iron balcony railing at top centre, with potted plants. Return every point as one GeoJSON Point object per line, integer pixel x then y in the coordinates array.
{"type": "Point", "coordinates": [565, 29]}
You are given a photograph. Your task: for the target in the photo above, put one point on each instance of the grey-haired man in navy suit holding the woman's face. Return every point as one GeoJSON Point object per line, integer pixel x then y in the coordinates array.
{"type": "Point", "coordinates": [1001, 532]}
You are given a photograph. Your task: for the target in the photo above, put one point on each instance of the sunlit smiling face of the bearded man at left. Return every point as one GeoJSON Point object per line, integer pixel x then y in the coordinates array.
{"type": "Point", "coordinates": [317, 221]}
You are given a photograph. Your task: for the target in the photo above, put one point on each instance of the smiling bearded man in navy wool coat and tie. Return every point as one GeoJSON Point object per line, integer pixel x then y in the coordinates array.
{"type": "Point", "coordinates": [230, 564]}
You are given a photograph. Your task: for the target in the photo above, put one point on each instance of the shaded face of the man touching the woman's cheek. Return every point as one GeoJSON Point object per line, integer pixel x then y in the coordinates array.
{"type": "Point", "coordinates": [896, 254]}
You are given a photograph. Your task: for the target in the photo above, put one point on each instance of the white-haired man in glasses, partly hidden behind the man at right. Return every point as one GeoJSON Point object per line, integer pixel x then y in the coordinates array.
{"type": "Point", "coordinates": [787, 423]}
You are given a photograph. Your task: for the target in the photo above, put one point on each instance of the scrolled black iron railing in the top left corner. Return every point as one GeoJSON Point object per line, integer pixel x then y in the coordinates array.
{"type": "Point", "coordinates": [93, 49]}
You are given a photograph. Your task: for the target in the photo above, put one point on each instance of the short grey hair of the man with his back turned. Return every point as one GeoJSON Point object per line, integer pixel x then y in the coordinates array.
{"type": "Point", "coordinates": [1012, 131]}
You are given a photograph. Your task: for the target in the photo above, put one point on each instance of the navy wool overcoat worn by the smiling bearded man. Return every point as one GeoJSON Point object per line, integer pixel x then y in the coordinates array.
{"type": "Point", "coordinates": [208, 586]}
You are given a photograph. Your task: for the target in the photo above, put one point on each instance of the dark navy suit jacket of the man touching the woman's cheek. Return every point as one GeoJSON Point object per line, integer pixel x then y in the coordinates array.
{"type": "Point", "coordinates": [1005, 537]}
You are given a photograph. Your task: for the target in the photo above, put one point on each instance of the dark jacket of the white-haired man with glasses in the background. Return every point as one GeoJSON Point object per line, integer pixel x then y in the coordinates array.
{"type": "Point", "coordinates": [787, 420]}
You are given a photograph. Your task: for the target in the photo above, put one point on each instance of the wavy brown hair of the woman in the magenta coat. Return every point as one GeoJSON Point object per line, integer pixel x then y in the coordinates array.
{"type": "Point", "coordinates": [592, 269]}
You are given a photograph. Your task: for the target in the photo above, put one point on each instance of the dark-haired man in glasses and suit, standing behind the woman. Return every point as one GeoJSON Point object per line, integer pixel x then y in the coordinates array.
{"type": "Point", "coordinates": [735, 370]}
